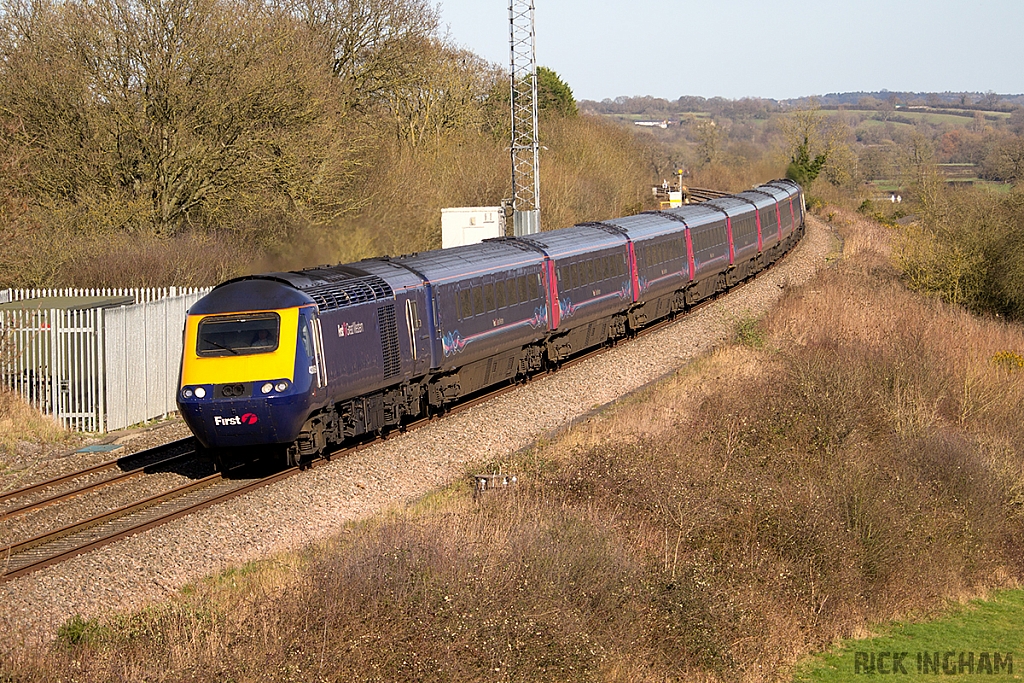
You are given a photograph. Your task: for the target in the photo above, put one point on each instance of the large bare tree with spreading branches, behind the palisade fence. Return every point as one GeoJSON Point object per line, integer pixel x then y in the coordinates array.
{"type": "Point", "coordinates": [176, 112]}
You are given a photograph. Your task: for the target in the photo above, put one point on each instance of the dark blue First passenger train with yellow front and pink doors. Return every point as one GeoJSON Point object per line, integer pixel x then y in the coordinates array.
{"type": "Point", "coordinates": [302, 361]}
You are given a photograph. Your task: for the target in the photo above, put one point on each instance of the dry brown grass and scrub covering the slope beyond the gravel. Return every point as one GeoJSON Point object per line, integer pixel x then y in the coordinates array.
{"type": "Point", "coordinates": [864, 464]}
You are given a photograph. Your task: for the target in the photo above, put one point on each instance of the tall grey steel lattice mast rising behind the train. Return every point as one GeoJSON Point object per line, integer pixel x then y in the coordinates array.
{"type": "Point", "coordinates": [526, 146]}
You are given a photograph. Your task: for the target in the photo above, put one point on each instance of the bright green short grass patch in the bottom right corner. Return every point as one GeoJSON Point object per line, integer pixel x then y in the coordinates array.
{"type": "Point", "coordinates": [982, 627]}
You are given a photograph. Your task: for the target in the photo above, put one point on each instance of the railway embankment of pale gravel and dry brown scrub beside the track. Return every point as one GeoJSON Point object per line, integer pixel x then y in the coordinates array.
{"type": "Point", "coordinates": [828, 451]}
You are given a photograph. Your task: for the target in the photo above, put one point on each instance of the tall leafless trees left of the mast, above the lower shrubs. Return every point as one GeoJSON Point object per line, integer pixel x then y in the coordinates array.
{"type": "Point", "coordinates": [157, 116]}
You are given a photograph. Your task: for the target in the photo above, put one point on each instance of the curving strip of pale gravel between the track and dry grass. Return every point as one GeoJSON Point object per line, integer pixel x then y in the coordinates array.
{"type": "Point", "coordinates": [319, 503]}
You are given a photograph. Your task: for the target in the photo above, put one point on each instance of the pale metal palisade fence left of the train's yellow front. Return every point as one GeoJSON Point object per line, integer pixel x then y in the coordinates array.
{"type": "Point", "coordinates": [96, 369]}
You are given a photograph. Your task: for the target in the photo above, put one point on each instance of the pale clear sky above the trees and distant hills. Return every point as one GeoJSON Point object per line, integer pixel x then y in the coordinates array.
{"type": "Point", "coordinates": [742, 49]}
